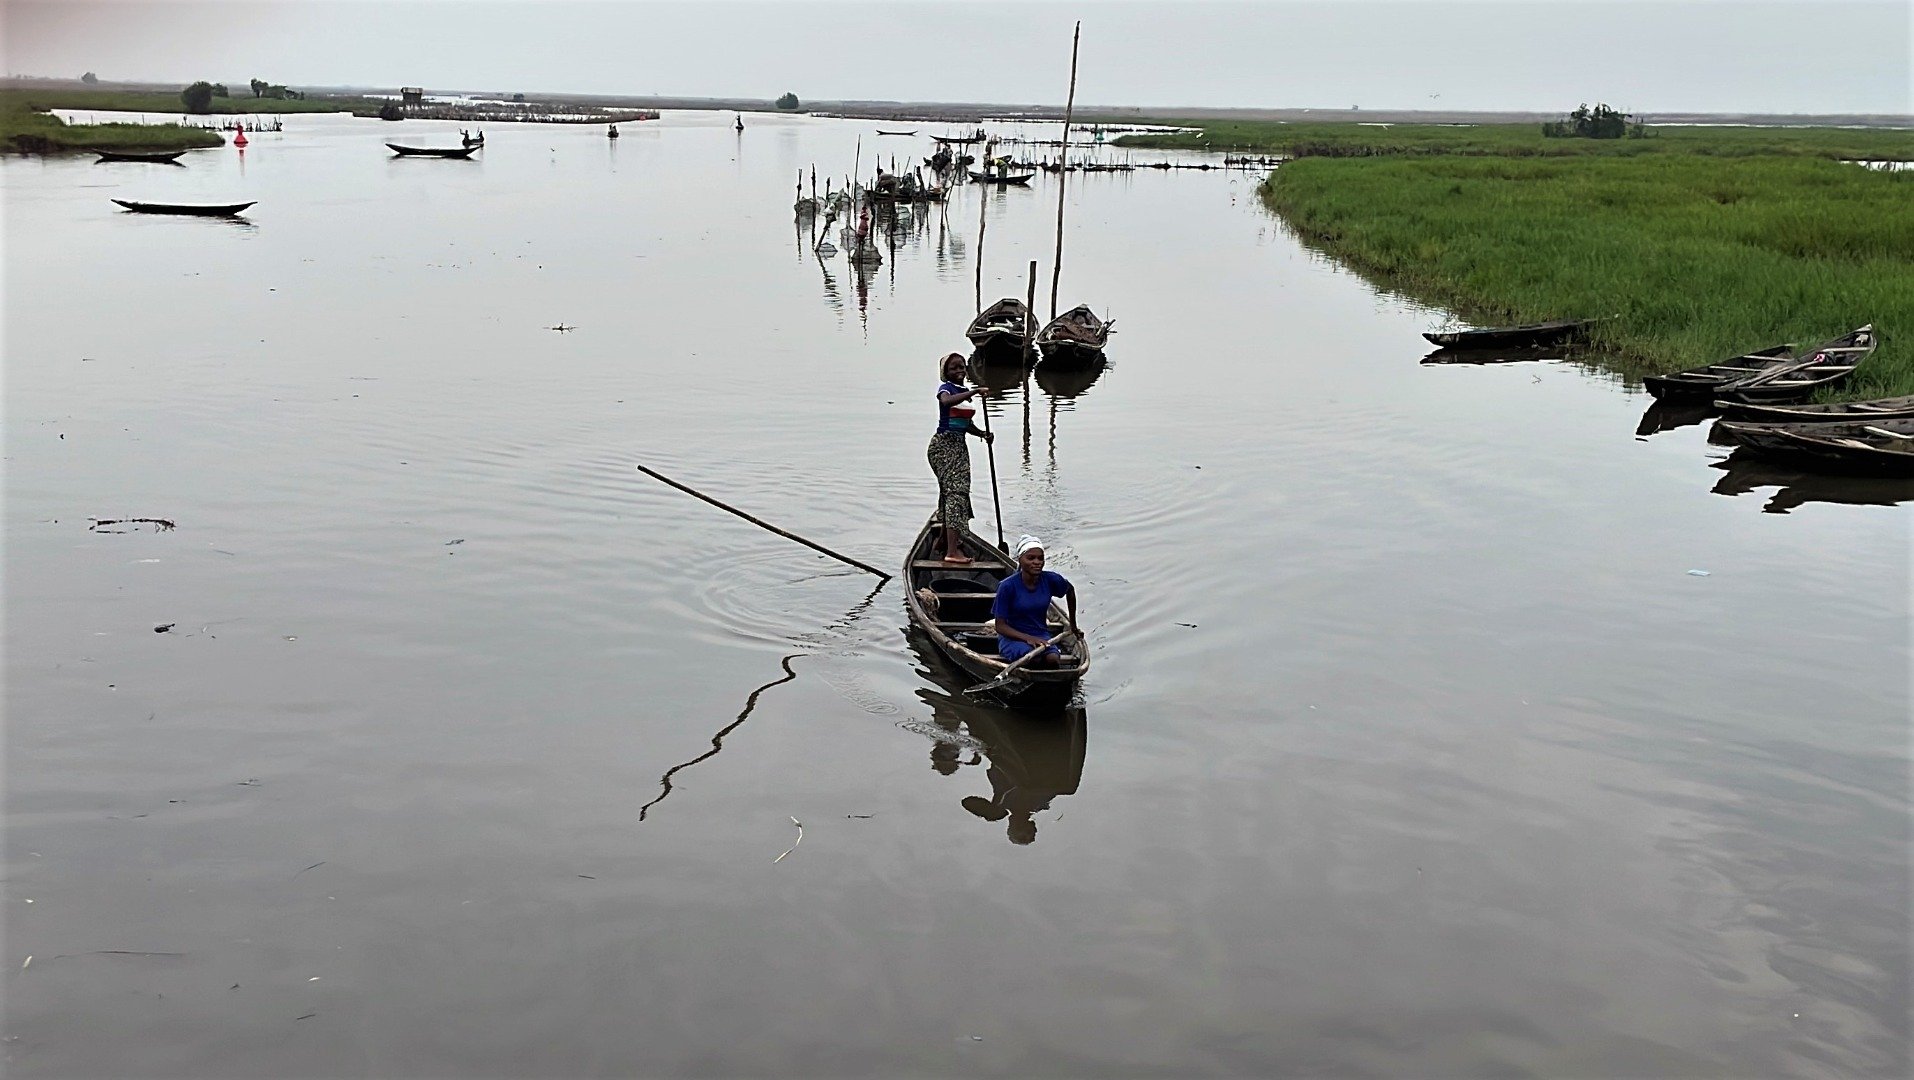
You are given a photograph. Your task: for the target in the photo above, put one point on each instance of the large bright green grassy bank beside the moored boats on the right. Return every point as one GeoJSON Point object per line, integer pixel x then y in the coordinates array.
{"type": "Point", "coordinates": [1704, 242]}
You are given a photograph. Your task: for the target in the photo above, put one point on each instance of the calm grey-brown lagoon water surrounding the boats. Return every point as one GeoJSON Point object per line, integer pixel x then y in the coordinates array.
{"type": "Point", "coordinates": [1413, 744]}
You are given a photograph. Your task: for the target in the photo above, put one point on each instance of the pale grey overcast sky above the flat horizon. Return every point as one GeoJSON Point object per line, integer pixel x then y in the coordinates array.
{"type": "Point", "coordinates": [1806, 56]}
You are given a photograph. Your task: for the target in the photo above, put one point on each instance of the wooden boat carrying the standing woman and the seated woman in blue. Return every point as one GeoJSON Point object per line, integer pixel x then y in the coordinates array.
{"type": "Point", "coordinates": [952, 606]}
